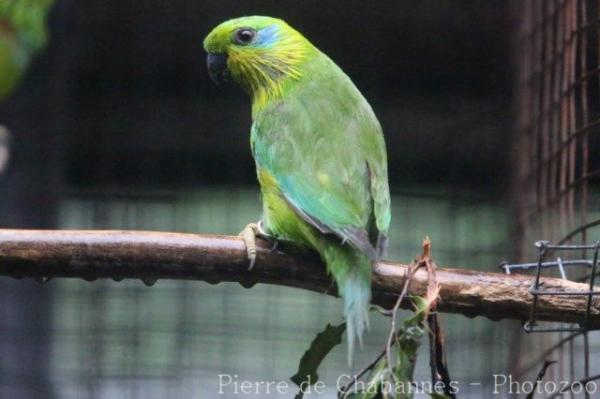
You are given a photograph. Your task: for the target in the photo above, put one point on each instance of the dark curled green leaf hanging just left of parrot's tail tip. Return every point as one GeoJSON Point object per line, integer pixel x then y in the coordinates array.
{"type": "Point", "coordinates": [323, 343]}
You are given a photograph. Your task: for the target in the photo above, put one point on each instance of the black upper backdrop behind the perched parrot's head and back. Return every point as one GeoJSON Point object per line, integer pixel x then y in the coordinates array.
{"type": "Point", "coordinates": [131, 103]}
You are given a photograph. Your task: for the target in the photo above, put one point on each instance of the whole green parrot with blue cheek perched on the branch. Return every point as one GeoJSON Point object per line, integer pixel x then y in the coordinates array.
{"type": "Point", "coordinates": [319, 150]}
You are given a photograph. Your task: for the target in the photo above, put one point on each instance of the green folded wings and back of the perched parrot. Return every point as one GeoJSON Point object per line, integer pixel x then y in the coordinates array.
{"type": "Point", "coordinates": [323, 146]}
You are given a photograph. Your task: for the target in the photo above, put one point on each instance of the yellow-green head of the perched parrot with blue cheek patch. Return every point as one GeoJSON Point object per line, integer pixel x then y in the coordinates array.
{"type": "Point", "coordinates": [259, 53]}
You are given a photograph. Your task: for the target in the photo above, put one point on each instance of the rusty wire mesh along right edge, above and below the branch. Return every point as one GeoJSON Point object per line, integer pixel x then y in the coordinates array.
{"type": "Point", "coordinates": [558, 75]}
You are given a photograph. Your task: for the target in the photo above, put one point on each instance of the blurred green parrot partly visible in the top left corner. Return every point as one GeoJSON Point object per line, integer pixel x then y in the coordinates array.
{"type": "Point", "coordinates": [23, 33]}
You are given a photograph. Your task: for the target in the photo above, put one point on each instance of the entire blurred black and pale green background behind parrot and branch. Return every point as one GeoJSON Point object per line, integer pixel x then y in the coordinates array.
{"type": "Point", "coordinates": [116, 125]}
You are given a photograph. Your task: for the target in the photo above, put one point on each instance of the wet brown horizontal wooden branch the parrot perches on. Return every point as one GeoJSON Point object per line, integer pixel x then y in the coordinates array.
{"type": "Point", "coordinates": [152, 255]}
